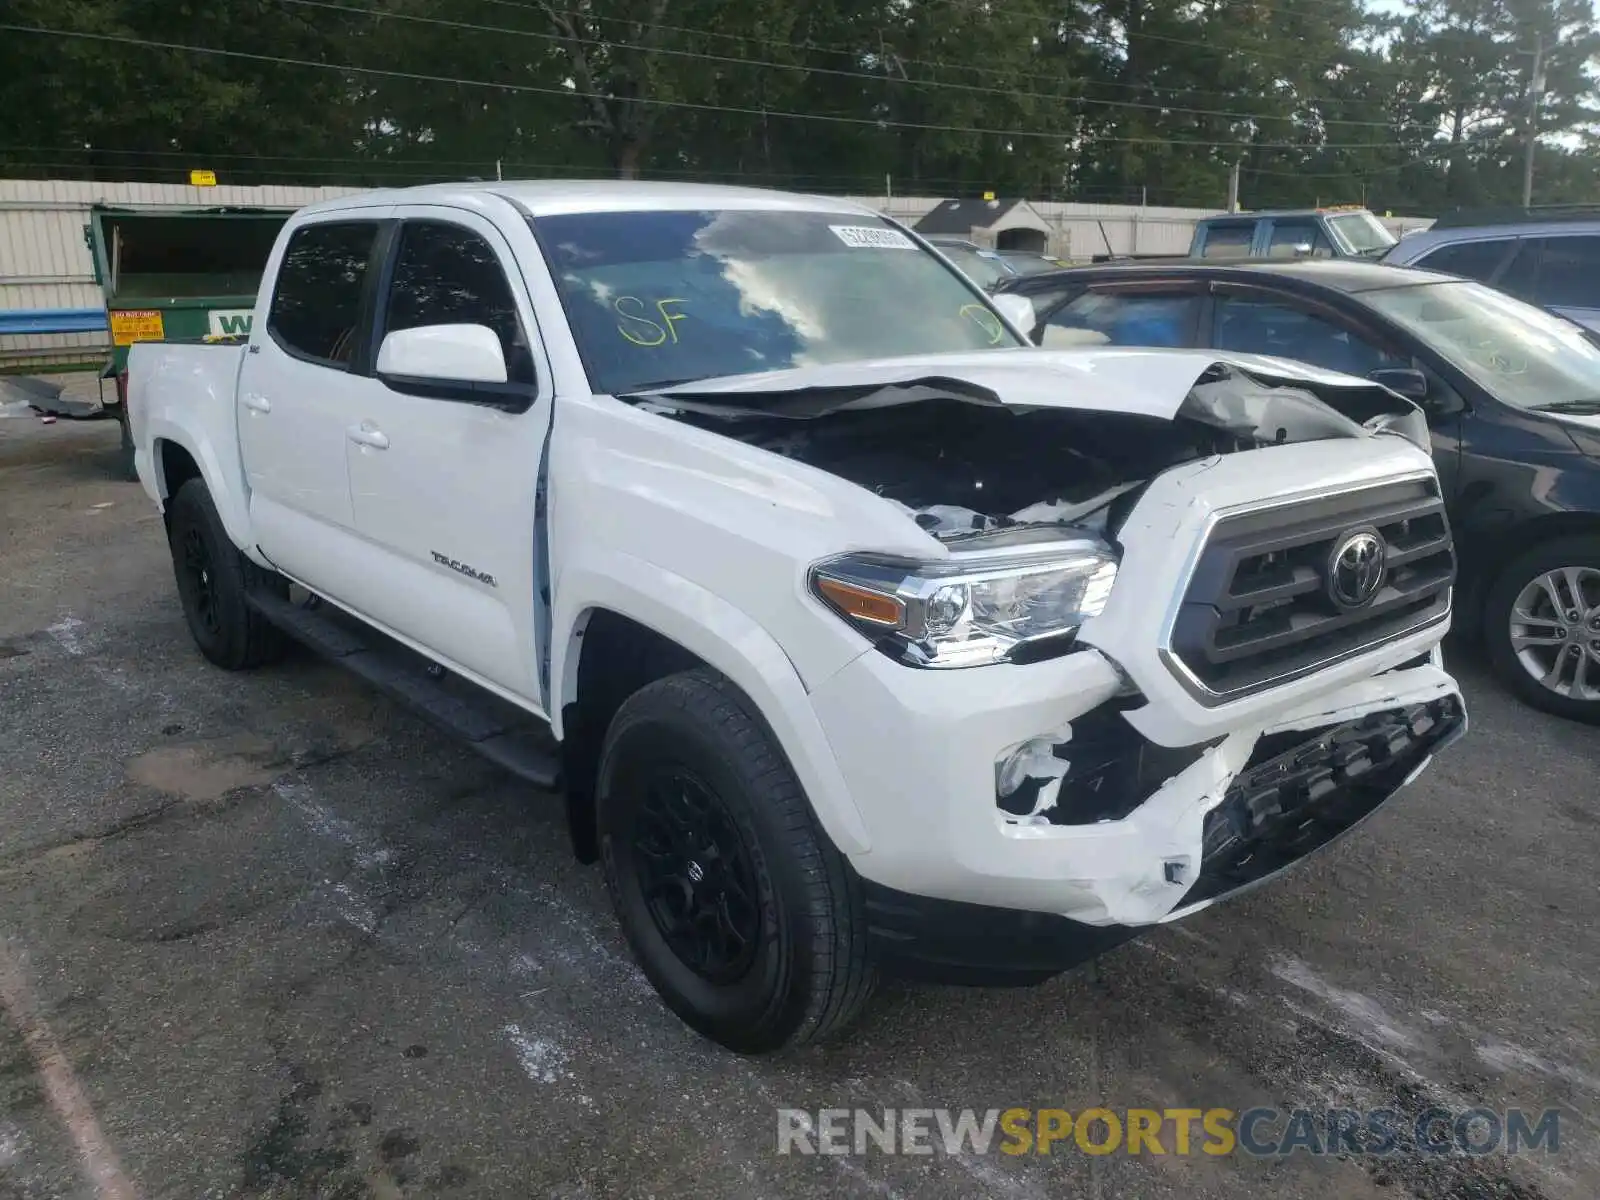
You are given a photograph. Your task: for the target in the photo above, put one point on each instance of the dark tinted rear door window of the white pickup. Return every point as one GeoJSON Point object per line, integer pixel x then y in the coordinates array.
{"type": "Point", "coordinates": [318, 298]}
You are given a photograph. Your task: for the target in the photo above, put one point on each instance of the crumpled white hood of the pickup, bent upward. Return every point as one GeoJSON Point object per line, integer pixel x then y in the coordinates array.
{"type": "Point", "coordinates": [1151, 383]}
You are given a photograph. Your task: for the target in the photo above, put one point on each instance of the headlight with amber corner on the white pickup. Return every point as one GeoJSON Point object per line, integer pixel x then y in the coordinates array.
{"type": "Point", "coordinates": [990, 604]}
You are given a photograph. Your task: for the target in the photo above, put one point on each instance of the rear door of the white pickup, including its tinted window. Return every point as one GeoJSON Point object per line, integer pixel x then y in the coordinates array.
{"type": "Point", "coordinates": [297, 393]}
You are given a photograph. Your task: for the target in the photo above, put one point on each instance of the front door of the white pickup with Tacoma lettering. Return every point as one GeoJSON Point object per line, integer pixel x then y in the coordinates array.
{"type": "Point", "coordinates": [444, 492]}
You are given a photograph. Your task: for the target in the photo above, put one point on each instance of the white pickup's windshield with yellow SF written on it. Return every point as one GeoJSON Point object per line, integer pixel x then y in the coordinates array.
{"type": "Point", "coordinates": [662, 298]}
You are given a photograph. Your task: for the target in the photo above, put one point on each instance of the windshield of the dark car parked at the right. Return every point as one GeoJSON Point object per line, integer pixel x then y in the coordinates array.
{"type": "Point", "coordinates": [1524, 356]}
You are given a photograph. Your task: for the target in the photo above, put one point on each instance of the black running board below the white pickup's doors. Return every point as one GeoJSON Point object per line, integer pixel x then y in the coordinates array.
{"type": "Point", "coordinates": [503, 734]}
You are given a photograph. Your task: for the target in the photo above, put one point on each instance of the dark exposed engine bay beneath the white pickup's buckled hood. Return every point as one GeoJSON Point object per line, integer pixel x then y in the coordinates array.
{"type": "Point", "coordinates": [964, 463]}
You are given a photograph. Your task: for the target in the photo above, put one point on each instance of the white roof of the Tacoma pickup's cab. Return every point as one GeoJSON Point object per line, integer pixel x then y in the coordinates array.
{"type": "Point", "coordinates": [546, 198]}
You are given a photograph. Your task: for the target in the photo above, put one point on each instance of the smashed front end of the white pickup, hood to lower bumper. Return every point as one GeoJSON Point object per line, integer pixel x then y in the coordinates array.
{"type": "Point", "coordinates": [1177, 690]}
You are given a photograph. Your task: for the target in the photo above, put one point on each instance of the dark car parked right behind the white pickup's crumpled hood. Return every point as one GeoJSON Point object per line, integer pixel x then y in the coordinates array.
{"type": "Point", "coordinates": [1513, 402]}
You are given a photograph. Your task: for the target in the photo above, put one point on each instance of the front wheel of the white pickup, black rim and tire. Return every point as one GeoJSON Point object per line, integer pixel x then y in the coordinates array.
{"type": "Point", "coordinates": [687, 764]}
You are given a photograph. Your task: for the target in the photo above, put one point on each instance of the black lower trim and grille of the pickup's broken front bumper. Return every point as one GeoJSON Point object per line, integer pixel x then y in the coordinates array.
{"type": "Point", "coordinates": [1298, 793]}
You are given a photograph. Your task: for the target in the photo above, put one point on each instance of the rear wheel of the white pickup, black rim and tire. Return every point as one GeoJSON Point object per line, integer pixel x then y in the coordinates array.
{"type": "Point", "coordinates": [214, 582]}
